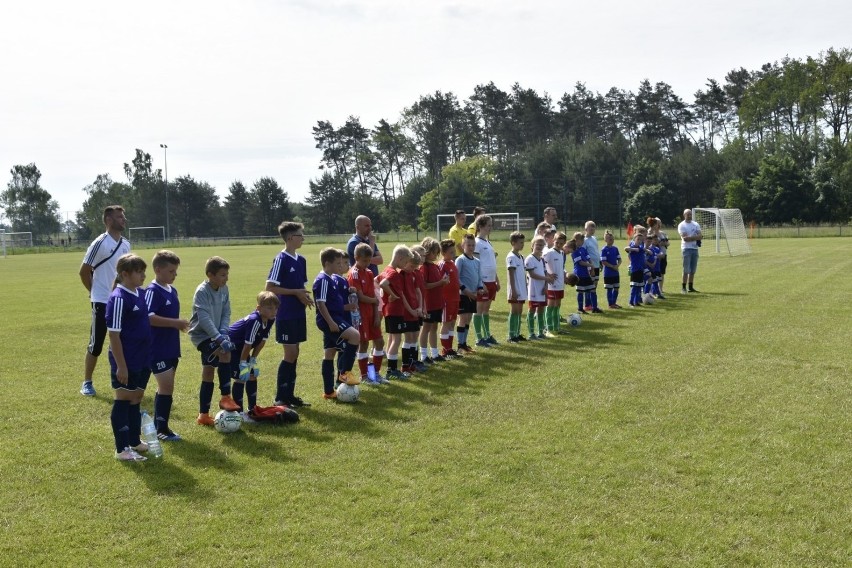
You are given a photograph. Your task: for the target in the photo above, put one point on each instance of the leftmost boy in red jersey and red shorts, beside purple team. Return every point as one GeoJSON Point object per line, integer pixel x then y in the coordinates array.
{"type": "Point", "coordinates": [362, 280]}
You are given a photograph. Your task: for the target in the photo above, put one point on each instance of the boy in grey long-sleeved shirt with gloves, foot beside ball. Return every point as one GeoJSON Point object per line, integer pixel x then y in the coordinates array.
{"type": "Point", "coordinates": [208, 330]}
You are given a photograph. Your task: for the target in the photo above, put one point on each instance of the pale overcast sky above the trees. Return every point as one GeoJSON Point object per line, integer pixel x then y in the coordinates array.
{"type": "Point", "coordinates": [234, 88]}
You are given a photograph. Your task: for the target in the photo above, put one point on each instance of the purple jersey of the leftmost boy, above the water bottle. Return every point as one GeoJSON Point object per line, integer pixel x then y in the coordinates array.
{"type": "Point", "coordinates": [127, 313]}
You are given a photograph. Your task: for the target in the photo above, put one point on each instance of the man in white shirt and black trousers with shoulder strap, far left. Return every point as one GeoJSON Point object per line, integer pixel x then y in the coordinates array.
{"type": "Point", "coordinates": [98, 275]}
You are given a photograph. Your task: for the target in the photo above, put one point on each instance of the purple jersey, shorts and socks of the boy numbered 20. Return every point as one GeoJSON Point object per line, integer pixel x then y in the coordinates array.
{"type": "Point", "coordinates": [165, 351]}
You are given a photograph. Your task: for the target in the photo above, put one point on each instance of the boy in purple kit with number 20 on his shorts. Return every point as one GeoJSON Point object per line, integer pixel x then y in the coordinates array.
{"type": "Point", "coordinates": [166, 325]}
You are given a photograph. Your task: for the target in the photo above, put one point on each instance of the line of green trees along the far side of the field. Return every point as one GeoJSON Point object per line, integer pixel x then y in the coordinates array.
{"type": "Point", "coordinates": [773, 142]}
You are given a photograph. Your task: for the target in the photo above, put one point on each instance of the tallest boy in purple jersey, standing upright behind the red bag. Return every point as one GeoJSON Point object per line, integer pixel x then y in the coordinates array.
{"type": "Point", "coordinates": [287, 279]}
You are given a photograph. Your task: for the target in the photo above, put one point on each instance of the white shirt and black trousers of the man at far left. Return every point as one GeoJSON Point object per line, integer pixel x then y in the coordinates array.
{"type": "Point", "coordinates": [102, 255]}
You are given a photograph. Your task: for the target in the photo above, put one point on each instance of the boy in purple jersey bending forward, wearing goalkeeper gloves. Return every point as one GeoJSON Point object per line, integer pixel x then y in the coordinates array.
{"type": "Point", "coordinates": [249, 335]}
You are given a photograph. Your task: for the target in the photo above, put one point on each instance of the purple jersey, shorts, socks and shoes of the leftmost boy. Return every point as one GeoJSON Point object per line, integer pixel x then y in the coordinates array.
{"type": "Point", "coordinates": [127, 314]}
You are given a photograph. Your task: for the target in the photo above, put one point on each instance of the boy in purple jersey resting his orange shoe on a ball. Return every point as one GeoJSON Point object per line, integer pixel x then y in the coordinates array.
{"type": "Point", "coordinates": [339, 337]}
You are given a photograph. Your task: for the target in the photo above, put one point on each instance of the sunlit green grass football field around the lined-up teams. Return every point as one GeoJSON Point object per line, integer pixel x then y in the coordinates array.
{"type": "Point", "coordinates": [706, 430]}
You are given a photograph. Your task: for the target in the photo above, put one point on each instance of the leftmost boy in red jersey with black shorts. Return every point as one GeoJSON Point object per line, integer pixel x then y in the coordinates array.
{"type": "Point", "coordinates": [395, 306]}
